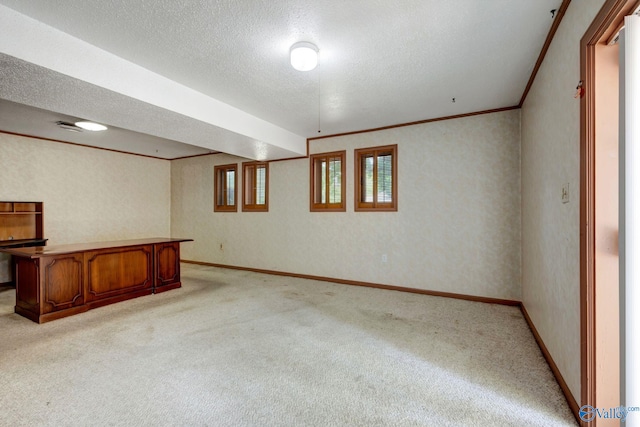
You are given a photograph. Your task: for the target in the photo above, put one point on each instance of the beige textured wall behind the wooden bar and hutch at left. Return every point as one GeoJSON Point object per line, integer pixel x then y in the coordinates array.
{"type": "Point", "coordinates": [88, 194]}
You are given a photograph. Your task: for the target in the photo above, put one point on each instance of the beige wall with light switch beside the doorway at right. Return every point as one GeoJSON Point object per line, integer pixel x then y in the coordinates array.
{"type": "Point", "coordinates": [551, 229]}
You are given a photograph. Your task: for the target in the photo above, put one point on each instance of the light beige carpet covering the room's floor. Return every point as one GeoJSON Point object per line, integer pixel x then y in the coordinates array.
{"type": "Point", "coordinates": [235, 348]}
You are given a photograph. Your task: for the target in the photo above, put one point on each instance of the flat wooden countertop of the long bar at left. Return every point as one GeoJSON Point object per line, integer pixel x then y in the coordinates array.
{"type": "Point", "coordinates": [42, 251]}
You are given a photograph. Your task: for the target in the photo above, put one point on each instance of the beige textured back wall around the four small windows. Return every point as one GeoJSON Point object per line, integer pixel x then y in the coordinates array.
{"type": "Point", "coordinates": [457, 228]}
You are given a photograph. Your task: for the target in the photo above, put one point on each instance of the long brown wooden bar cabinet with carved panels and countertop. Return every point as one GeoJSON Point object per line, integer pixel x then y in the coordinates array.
{"type": "Point", "coordinates": [59, 281]}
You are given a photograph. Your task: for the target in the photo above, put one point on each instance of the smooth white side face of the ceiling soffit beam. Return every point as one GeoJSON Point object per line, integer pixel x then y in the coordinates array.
{"type": "Point", "coordinates": [33, 41]}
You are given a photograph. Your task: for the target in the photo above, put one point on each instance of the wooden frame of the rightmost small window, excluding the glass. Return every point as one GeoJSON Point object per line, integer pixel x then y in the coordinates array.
{"type": "Point", "coordinates": [375, 205]}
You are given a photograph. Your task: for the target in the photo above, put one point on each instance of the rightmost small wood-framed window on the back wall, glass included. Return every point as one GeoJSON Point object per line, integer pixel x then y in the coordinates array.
{"type": "Point", "coordinates": [376, 179]}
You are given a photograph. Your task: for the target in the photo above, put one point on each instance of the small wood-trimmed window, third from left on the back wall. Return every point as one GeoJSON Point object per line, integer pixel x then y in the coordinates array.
{"type": "Point", "coordinates": [328, 182]}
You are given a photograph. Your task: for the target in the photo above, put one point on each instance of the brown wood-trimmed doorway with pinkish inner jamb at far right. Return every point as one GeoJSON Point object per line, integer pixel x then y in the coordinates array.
{"type": "Point", "coordinates": [599, 207]}
